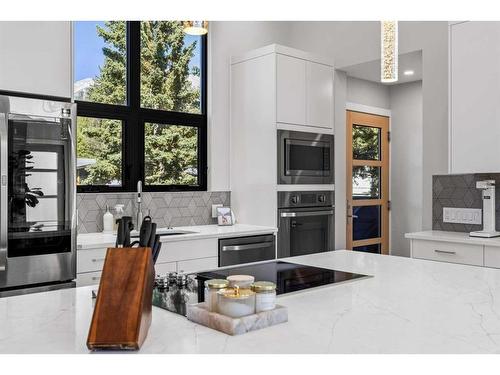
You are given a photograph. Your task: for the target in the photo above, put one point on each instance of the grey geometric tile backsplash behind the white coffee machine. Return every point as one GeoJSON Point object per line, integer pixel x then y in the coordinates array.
{"type": "Point", "coordinates": [460, 191]}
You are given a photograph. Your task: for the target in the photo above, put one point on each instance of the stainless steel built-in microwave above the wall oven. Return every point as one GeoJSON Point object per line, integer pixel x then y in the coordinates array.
{"type": "Point", "coordinates": [305, 158]}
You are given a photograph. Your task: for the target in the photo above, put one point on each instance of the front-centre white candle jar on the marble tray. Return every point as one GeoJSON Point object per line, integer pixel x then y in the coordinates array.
{"type": "Point", "coordinates": [236, 302]}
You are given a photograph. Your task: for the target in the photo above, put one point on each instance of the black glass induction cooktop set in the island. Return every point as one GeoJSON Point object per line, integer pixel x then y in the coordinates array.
{"type": "Point", "coordinates": [288, 277]}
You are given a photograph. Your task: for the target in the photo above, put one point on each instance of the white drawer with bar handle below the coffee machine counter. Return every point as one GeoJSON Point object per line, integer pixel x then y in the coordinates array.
{"type": "Point", "coordinates": [448, 252]}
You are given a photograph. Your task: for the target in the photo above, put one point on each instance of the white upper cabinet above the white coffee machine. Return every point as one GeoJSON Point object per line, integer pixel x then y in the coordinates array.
{"type": "Point", "coordinates": [475, 97]}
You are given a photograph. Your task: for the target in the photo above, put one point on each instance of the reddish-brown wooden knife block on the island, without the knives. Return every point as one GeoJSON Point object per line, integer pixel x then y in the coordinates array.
{"type": "Point", "coordinates": [122, 313]}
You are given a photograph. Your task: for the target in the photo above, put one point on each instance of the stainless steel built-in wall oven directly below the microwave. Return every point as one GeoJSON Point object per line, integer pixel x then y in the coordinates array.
{"type": "Point", "coordinates": [306, 222]}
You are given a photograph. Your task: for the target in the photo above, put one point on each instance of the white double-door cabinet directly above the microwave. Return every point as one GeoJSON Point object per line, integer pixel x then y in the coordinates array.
{"type": "Point", "coordinates": [304, 92]}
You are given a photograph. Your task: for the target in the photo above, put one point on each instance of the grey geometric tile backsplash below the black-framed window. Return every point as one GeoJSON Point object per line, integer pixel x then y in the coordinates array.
{"type": "Point", "coordinates": [166, 209]}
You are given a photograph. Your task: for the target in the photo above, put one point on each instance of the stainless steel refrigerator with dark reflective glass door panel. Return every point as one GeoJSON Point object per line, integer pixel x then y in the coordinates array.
{"type": "Point", "coordinates": [37, 194]}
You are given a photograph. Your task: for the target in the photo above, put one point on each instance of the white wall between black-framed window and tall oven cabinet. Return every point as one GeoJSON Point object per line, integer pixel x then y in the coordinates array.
{"type": "Point", "coordinates": [228, 39]}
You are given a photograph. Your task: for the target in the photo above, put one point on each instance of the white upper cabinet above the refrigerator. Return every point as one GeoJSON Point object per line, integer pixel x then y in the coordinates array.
{"type": "Point", "coordinates": [36, 57]}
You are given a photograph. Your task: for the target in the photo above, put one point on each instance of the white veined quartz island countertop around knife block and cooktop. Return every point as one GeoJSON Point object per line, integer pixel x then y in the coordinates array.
{"type": "Point", "coordinates": [409, 306]}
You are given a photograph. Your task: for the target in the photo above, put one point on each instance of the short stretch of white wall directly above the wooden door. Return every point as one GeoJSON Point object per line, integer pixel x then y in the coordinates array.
{"type": "Point", "coordinates": [369, 93]}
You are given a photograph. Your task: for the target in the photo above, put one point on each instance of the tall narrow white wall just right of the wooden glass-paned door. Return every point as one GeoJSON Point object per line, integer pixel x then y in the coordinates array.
{"type": "Point", "coordinates": [406, 164]}
